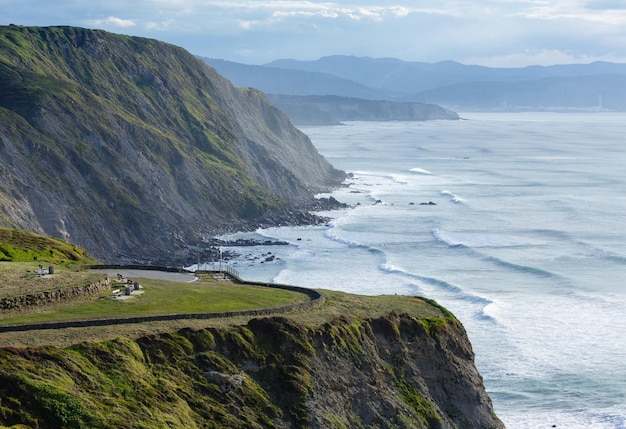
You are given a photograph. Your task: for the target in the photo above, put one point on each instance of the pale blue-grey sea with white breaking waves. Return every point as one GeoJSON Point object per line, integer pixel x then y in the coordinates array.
{"type": "Point", "coordinates": [514, 222]}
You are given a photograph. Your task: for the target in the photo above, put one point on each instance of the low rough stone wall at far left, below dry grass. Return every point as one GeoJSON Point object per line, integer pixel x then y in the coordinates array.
{"type": "Point", "coordinates": [54, 296]}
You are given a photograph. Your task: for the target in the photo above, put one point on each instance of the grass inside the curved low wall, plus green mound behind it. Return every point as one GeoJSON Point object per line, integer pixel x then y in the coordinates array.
{"type": "Point", "coordinates": [158, 297]}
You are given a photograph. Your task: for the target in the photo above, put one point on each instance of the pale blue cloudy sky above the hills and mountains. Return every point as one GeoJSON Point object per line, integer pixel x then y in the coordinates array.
{"type": "Point", "coordinates": [495, 33]}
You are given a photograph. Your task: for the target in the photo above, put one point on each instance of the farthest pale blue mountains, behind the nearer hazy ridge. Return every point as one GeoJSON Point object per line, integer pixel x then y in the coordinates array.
{"type": "Point", "coordinates": [459, 86]}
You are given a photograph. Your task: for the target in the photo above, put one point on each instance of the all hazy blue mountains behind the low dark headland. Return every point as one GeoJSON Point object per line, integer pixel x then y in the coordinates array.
{"type": "Point", "coordinates": [455, 86]}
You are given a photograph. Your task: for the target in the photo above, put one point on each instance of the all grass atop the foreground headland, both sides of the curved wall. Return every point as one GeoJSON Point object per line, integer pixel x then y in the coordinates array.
{"type": "Point", "coordinates": [21, 253]}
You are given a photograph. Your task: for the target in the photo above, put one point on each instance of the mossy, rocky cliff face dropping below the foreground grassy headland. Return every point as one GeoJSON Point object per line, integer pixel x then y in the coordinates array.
{"type": "Point", "coordinates": [395, 371]}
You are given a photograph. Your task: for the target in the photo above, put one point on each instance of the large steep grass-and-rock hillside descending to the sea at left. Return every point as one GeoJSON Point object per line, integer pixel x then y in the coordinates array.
{"type": "Point", "coordinates": [132, 148]}
